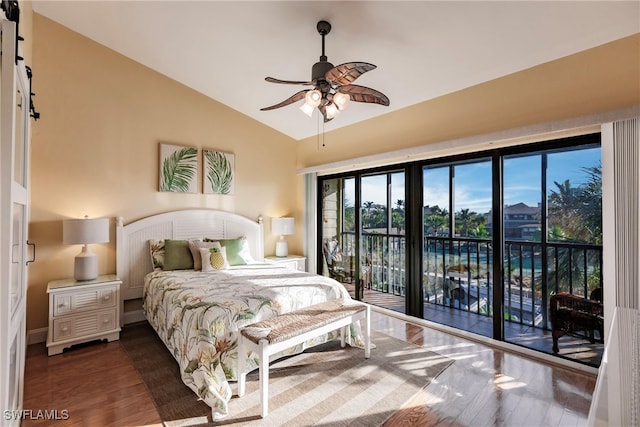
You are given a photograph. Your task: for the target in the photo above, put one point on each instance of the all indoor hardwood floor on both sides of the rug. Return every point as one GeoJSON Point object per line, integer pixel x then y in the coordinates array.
{"type": "Point", "coordinates": [96, 385]}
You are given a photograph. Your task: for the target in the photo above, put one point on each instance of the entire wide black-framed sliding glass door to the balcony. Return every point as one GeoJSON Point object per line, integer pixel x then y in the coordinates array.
{"type": "Point", "coordinates": [480, 242]}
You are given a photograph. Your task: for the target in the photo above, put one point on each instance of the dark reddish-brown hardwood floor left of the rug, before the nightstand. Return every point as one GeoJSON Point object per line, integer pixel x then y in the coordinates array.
{"type": "Point", "coordinates": [93, 384]}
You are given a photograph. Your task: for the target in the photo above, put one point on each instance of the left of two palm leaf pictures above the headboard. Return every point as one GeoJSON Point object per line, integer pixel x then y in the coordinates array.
{"type": "Point", "coordinates": [179, 170]}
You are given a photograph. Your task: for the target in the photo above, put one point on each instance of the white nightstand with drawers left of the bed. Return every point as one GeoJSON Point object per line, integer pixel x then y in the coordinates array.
{"type": "Point", "coordinates": [82, 311]}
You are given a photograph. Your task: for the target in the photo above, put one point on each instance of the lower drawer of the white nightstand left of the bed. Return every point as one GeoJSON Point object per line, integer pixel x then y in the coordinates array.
{"type": "Point", "coordinates": [84, 325]}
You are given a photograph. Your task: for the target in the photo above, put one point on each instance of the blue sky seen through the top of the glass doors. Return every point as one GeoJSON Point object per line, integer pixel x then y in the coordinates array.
{"type": "Point", "coordinates": [522, 176]}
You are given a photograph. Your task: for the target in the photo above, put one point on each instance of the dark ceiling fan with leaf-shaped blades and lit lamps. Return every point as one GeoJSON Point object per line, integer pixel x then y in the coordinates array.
{"type": "Point", "coordinates": [332, 86]}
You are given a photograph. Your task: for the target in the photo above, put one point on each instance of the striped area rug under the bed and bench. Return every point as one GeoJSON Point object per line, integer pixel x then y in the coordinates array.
{"type": "Point", "coordinates": [326, 385]}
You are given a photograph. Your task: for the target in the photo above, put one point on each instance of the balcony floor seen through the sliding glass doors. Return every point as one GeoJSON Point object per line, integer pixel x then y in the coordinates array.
{"type": "Point", "coordinates": [572, 348]}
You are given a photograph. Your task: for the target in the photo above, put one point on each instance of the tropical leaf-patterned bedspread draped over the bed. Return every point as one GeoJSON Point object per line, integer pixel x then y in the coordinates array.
{"type": "Point", "coordinates": [198, 315]}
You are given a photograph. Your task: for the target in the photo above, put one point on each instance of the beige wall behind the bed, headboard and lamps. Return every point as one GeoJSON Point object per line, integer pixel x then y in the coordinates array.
{"type": "Point", "coordinates": [95, 152]}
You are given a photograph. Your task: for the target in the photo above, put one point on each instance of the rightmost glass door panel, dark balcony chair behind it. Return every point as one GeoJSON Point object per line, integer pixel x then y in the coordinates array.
{"type": "Point", "coordinates": [552, 222]}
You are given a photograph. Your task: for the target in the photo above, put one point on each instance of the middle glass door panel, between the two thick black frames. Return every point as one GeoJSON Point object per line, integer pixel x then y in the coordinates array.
{"type": "Point", "coordinates": [457, 255]}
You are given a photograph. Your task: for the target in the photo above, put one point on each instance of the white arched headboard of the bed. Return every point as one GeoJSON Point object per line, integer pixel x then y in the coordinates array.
{"type": "Point", "coordinates": [133, 260]}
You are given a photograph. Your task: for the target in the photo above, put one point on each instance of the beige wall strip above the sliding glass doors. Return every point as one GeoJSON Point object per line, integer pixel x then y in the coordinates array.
{"type": "Point", "coordinates": [601, 79]}
